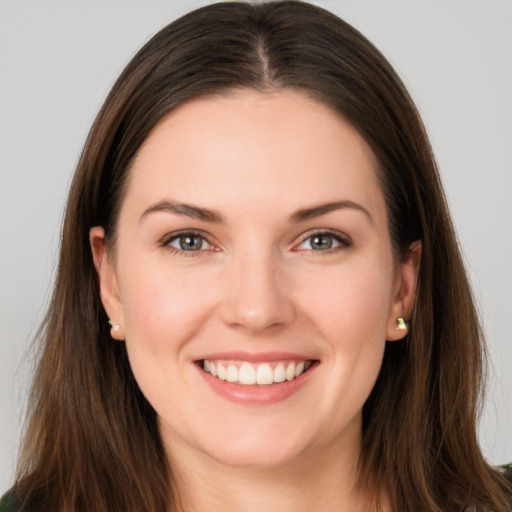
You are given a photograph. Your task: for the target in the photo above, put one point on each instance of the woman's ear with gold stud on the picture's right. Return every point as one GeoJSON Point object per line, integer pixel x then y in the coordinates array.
{"type": "Point", "coordinates": [404, 292]}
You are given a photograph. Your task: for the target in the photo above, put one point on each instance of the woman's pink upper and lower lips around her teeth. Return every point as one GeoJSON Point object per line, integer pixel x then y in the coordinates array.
{"type": "Point", "coordinates": [254, 394]}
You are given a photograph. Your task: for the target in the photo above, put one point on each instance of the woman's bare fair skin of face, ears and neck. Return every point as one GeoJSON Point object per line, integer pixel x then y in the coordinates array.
{"type": "Point", "coordinates": [257, 285]}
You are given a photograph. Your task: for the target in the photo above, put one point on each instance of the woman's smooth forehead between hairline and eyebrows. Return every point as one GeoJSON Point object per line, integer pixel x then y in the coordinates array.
{"type": "Point", "coordinates": [249, 148]}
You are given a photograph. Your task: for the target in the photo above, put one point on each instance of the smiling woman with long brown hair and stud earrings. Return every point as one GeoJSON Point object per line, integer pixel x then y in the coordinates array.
{"type": "Point", "coordinates": [260, 301]}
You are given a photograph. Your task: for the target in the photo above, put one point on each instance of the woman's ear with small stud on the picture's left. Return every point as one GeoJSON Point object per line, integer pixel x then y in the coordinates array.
{"type": "Point", "coordinates": [109, 291]}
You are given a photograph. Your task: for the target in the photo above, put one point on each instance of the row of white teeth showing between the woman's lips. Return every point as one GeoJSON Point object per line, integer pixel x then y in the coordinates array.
{"type": "Point", "coordinates": [252, 374]}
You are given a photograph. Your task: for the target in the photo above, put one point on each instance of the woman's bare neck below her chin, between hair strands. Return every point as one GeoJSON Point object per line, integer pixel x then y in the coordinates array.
{"type": "Point", "coordinates": [323, 481]}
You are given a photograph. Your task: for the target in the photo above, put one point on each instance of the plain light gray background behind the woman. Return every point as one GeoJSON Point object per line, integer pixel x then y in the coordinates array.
{"type": "Point", "coordinates": [58, 59]}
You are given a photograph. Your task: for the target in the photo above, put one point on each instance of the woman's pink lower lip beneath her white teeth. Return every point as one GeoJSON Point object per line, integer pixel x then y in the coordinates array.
{"type": "Point", "coordinates": [257, 394]}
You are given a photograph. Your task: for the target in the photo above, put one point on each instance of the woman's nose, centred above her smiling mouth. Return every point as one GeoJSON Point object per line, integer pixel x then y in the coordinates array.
{"type": "Point", "coordinates": [258, 299]}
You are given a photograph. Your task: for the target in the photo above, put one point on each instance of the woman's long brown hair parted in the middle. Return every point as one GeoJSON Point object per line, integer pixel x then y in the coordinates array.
{"type": "Point", "coordinates": [92, 442]}
